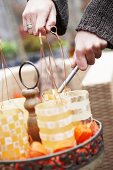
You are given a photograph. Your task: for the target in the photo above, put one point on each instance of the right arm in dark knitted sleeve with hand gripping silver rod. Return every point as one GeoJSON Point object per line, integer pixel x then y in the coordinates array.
{"type": "Point", "coordinates": [94, 33]}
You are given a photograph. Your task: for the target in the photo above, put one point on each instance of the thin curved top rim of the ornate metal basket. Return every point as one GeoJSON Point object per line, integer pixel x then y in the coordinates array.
{"type": "Point", "coordinates": [60, 152]}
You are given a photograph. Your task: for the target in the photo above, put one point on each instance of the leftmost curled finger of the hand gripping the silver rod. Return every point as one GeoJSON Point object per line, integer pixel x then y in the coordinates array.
{"type": "Point", "coordinates": [81, 60]}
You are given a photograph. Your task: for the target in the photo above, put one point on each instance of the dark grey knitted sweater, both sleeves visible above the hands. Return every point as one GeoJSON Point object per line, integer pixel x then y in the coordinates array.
{"type": "Point", "coordinates": [97, 18]}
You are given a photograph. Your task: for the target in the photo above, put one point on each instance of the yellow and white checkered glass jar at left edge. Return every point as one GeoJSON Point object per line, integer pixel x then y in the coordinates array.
{"type": "Point", "coordinates": [13, 134]}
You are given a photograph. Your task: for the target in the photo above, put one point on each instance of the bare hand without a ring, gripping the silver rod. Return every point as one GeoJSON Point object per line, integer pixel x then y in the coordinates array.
{"type": "Point", "coordinates": [88, 46]}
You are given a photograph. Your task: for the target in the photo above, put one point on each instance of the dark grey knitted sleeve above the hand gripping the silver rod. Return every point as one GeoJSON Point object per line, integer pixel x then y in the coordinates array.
{"type": "Point", "coordinates": [98, 19]}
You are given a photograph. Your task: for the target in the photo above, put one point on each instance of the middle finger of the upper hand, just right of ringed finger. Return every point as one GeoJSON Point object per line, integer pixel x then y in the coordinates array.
{"type": "Point", "coordinates": [40, 24]}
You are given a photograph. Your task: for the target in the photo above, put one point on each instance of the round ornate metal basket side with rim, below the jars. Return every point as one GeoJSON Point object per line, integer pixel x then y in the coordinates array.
{"type": "Point", "coordinates": [87, 155]}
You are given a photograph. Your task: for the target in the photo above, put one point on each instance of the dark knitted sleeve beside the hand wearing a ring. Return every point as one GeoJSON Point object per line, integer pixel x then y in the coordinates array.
{"type": "Point", "coordinates": [62, 15]}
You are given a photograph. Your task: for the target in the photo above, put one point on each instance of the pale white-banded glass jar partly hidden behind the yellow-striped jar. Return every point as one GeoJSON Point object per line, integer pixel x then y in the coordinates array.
{"type": "Point", "coordinates": [78, 102]}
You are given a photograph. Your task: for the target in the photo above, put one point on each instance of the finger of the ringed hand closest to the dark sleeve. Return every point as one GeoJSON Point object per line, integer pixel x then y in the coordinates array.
{"type": "Point", "coordinates": [51, 21]}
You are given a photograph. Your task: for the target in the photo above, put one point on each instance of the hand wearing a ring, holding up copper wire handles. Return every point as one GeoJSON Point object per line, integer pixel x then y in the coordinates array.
{"type": "Point", "coordinates": [40, 14]}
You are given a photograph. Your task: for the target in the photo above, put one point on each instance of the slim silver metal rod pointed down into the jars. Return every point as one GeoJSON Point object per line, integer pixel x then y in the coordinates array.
{"type": "Point", "coordinates": [68, 79]}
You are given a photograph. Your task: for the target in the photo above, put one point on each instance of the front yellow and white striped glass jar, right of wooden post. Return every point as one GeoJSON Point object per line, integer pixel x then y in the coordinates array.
{"type": "Point", "coordinates": [55, 123]}
